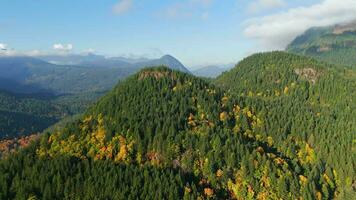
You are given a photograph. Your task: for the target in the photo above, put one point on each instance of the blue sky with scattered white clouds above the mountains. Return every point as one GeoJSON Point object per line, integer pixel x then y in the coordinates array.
{"type": "Point", "coordinates": [197, 32]}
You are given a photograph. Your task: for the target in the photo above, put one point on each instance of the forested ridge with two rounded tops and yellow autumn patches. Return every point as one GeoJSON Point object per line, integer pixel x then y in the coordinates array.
{"type": "Point", "coordinates": [277, 126]}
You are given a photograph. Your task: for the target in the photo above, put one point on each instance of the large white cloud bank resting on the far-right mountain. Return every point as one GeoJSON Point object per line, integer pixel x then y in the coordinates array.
{"type": "Point", "coordinates": [277, 30]}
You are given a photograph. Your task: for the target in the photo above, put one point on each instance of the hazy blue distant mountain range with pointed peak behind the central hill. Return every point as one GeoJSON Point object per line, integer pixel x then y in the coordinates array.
{"type": "Point", "coordinates": [72, 73]}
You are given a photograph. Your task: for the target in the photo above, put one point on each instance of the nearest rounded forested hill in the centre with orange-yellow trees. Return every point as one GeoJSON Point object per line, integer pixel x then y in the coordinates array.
{"type": "Point", "coordinates": [169, 132]}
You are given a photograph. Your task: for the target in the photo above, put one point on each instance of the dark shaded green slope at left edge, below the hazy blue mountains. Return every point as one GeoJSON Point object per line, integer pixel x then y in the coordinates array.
{"type": "Point", "coordinates": [23, 114]}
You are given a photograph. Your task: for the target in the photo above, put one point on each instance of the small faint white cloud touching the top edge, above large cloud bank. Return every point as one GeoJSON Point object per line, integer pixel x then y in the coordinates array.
{"type": "Point", "coordinates": [260, 5]}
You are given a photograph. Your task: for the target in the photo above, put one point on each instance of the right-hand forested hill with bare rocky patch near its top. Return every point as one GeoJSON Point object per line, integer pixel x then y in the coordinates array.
{"type": "Point", "coordinates": [306, 104]}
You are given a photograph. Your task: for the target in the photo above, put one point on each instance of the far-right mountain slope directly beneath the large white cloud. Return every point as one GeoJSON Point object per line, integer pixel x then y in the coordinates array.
{"type": "Point", "coordinates": [335, 44]}
